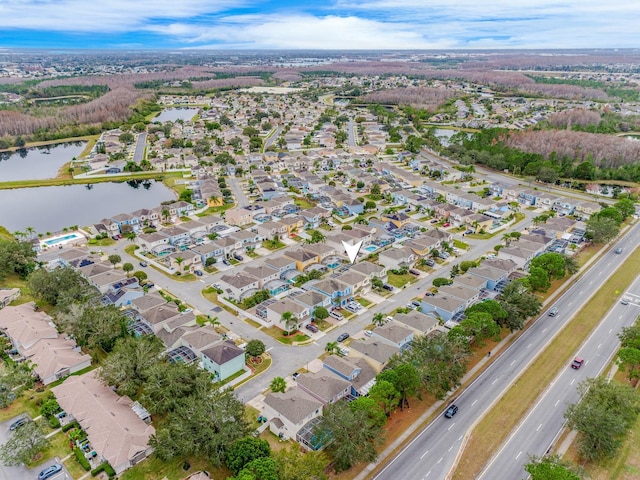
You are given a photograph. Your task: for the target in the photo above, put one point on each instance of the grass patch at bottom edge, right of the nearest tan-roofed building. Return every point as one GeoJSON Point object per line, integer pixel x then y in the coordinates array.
{"type": "Point", "coordinates": [153, 468]}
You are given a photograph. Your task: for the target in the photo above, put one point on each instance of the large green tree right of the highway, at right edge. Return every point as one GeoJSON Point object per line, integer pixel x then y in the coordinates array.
{"type": "Point", "coordinates": [602, 417]}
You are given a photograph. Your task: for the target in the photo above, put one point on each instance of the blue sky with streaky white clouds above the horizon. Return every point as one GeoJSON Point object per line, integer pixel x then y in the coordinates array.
{"type": "Point", "coordinates": [319, 24]}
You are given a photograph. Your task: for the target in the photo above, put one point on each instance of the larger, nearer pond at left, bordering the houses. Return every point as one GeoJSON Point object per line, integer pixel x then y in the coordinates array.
{"type": "Point", "coordinates": [50, 209]}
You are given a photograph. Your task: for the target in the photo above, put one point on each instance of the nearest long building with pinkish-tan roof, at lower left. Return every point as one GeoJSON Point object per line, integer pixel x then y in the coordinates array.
{"type": "Point", "coordinates": [116, 432]}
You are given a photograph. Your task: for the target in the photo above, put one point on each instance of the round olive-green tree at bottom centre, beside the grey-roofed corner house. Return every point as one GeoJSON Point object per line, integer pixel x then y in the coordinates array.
{"type": "Point", "coordinates": [348, 435]}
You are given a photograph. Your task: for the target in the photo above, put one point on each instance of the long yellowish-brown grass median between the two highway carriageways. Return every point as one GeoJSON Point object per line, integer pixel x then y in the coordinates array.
{"type": "Point", "coordinates": [498, 423]}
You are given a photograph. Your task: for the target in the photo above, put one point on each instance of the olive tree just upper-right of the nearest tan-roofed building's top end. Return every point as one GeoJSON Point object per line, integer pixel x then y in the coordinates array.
{"type": "Point", "coordinates": [129, 365]}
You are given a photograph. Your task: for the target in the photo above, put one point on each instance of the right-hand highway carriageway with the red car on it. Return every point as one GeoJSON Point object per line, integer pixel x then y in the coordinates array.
{"type": "Point", "coordinates": [544, 422]}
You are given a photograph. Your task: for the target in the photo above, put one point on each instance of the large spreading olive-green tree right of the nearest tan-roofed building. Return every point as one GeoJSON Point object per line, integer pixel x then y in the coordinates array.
{"type": "Point", "coordinates": [202, 425]}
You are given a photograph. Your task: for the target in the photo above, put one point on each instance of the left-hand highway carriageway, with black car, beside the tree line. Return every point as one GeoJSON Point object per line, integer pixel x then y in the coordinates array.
{"type": "Point", "coordinates": [432, 453]}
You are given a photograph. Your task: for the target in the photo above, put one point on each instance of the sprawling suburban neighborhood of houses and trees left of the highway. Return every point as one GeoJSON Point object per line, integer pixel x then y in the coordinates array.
{"type": "Point", "coordinates": [234, 306]}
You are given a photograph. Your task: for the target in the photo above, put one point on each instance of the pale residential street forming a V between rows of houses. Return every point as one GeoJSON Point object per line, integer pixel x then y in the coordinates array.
{"type": "Point", "coordinates": [288, 359]}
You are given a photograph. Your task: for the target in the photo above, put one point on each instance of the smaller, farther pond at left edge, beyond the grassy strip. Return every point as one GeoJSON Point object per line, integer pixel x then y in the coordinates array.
{"type": "Point", "coordinates": [38, 162]}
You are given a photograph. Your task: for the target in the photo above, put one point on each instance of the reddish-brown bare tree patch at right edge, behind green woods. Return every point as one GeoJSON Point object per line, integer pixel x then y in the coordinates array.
{"type": "Point", "coordinates": [605, 150]}
